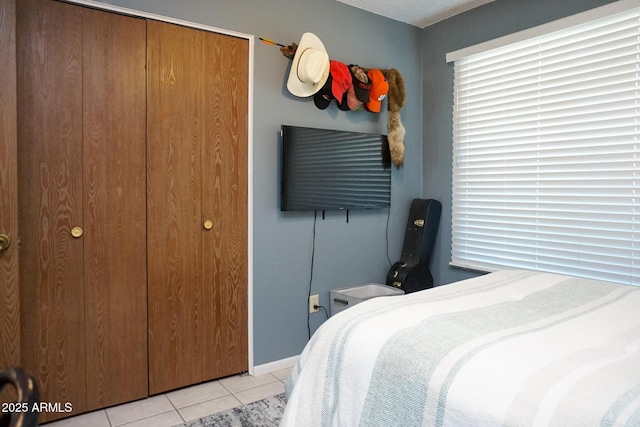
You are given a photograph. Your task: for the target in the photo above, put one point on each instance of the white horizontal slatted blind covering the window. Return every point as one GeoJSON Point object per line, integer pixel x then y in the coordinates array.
{"type": "Point", "coordinates": [546, 169]}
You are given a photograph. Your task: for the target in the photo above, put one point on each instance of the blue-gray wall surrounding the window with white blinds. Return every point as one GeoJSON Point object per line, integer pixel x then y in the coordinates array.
{"type": "Point", "coordinates": [486, 22]}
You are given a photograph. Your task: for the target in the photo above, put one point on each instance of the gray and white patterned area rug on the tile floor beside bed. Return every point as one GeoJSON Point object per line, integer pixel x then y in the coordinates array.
{"type": "Point", "coordinates": [263, 413]}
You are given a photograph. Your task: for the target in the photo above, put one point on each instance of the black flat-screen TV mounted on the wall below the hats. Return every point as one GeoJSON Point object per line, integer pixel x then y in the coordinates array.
{"type": "Point", "coordinates": [325, 169]}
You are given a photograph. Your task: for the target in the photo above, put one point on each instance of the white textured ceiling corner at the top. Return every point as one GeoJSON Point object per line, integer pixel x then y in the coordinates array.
{"type": "Point", "coordinates": [420, 13]}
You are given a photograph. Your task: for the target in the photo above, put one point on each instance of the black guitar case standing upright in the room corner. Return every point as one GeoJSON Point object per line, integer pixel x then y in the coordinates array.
{"type": "Point", "coordinates": [412, 272]}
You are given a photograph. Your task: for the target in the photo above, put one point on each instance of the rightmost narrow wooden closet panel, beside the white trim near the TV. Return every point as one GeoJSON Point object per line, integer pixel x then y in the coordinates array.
{"type": "Point", "coordinates": [225, 186]}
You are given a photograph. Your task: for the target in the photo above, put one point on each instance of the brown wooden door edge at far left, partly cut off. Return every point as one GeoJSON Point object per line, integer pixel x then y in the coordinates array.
{"type": "Point", "coordinates": [9, 280]}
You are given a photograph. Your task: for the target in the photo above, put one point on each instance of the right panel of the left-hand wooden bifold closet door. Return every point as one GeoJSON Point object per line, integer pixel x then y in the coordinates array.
{"type": "Point", "coordinates": [115, 207]}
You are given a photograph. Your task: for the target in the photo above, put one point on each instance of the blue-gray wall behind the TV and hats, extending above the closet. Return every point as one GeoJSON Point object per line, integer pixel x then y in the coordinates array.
{"type": "Point", "coordinates": [345, 253]}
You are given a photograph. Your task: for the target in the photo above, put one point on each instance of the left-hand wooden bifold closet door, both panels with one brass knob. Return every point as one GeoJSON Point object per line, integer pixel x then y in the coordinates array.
{"type": "Point", "coordinates": [82, 163]}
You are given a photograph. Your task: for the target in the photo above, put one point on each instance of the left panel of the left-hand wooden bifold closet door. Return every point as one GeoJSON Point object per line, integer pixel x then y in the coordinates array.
{"type": "Point", "coordinates": [49, 41]}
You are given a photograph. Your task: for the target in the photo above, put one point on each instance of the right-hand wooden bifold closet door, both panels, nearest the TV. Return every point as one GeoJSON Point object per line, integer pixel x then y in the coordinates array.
{"type": "Point", "coordinates": [197, 172]}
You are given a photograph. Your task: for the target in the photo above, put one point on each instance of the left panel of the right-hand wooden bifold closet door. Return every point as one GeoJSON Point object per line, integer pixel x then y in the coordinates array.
{"type": "Point", "coordinates": [174, 119]}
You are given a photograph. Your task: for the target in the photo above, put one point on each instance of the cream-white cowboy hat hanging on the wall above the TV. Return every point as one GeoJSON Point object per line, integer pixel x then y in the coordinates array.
{"type": "Point", "coordinates": [310, 67]}
